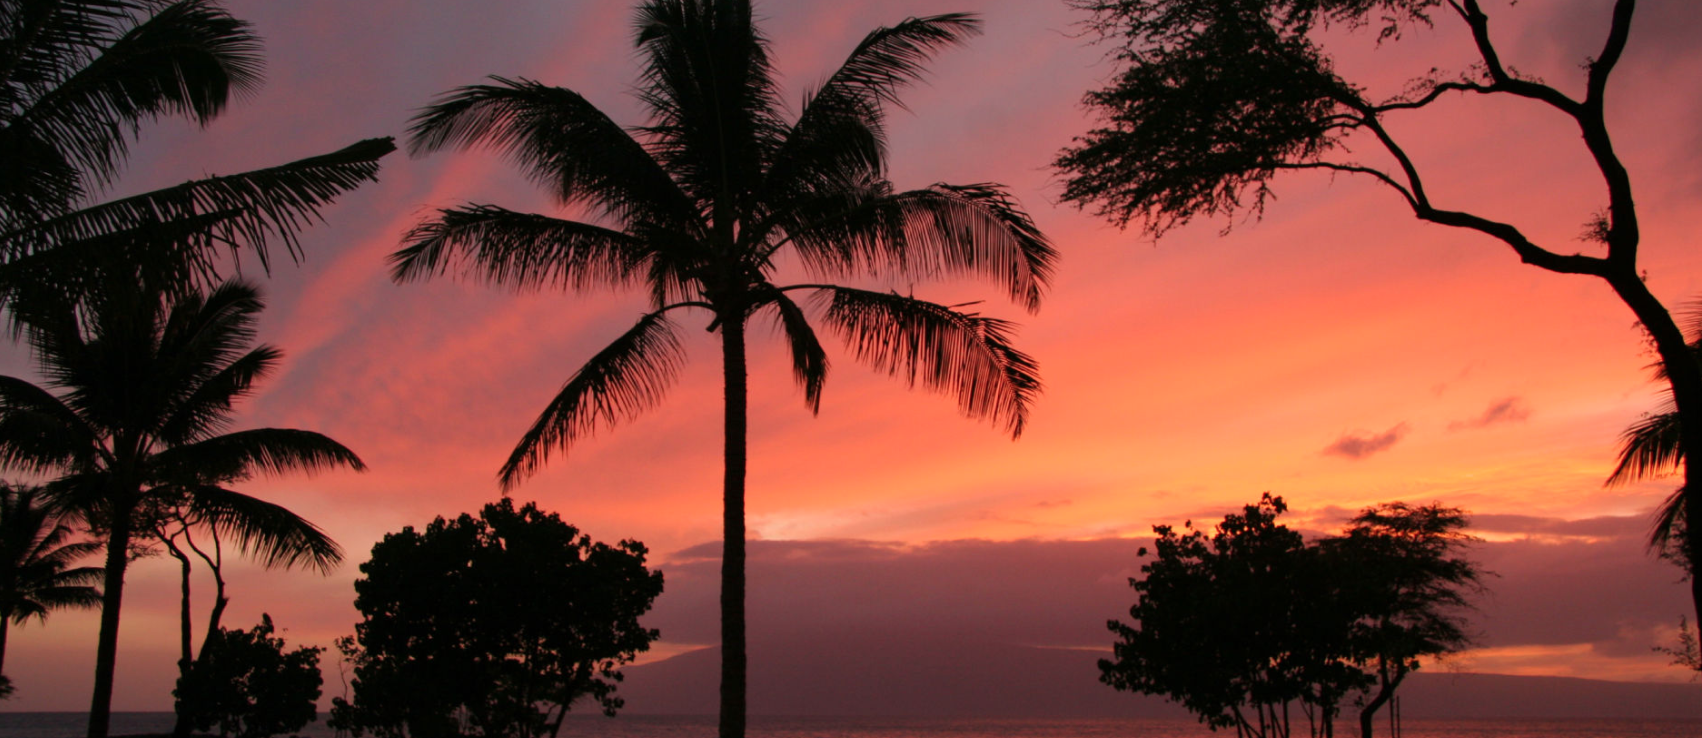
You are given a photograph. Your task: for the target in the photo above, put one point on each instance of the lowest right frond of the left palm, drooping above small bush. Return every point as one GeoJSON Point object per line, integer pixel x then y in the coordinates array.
{"type": "Point", "coordinates": [266, 531]}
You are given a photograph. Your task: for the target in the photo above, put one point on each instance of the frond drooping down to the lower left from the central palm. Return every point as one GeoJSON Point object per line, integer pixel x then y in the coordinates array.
{"type": "Point", "coordinates": [624, 380]}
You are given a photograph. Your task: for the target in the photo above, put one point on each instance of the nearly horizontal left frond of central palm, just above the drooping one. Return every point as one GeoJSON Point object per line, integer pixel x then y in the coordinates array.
{"type": "Point", "coordinates": [520, 251]}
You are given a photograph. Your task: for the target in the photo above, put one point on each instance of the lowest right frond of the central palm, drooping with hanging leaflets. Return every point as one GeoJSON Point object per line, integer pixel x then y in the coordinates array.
{"type": "Point", "coordinates": [961, 355]}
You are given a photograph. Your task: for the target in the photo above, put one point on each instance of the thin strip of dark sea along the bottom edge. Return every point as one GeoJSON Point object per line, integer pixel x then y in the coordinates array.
{"type": "Point", "coordinates": [71, 725]}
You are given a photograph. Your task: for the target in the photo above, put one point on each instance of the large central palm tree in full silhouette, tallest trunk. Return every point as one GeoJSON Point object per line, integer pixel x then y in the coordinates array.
{"type": "Point", "coordinates": [699, 208]}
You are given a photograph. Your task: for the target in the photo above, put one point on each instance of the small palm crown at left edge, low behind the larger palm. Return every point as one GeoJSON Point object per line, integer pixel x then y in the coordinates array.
{"type": "Point", "coordinates": [35, 562]}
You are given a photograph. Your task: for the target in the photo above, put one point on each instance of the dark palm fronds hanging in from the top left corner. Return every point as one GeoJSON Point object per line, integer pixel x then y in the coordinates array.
{"type": "Point", "coordinates": [77, 79]}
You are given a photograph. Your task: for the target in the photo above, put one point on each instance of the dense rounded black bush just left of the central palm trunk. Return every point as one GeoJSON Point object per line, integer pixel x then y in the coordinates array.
{"type": "Point", "coordinates": [474, 623]}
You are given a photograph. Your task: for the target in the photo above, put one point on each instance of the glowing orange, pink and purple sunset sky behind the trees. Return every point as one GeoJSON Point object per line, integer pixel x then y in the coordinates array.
{"type": "Point", "coordinates": [1337, 353]}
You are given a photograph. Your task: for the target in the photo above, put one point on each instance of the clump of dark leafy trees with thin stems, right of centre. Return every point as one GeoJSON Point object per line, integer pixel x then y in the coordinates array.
{"type": "Point", "coordinates": [1254, 618]}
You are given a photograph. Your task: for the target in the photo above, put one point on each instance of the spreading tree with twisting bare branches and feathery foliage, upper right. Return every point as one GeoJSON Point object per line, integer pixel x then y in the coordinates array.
{"type": "Point", "coordinates": [1219, 96]}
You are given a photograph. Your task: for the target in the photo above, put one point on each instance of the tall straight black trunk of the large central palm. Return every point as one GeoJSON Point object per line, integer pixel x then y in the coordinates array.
{"type": "Point", "coordinates": [733, 722]}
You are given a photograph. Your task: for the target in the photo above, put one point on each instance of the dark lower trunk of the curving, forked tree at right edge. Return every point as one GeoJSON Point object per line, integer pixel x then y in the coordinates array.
{"type": "Point", "coordinates": [1684, 372]}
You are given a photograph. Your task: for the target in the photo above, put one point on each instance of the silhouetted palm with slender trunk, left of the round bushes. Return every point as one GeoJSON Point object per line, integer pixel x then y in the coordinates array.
{"type": "Point", "coordinates": [139, 395]}
